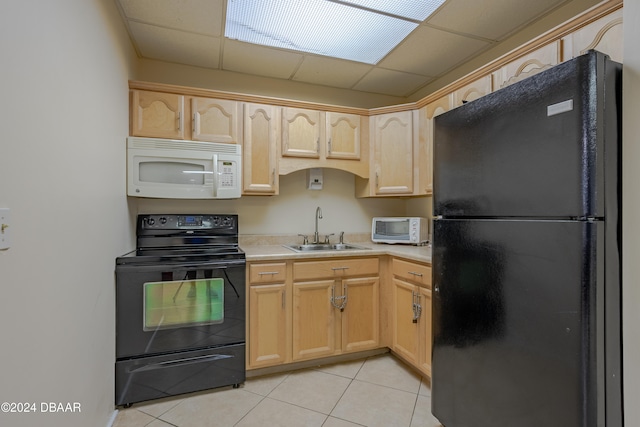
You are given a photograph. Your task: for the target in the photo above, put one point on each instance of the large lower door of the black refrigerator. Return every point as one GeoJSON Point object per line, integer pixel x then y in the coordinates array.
{"type": "Point", "coordinates": [517, 309]}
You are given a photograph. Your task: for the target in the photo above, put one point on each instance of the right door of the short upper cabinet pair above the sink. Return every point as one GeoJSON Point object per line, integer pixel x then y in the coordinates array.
{"type": "Point", "coordinates": [343, 136]}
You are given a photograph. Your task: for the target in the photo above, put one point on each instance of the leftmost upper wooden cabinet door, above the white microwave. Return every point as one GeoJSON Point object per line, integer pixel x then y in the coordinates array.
{"type": "Point", "coordinates": [157, 114]}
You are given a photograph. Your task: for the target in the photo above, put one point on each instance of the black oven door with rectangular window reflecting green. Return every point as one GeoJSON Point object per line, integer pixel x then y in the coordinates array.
{"type": "Point", "coordinates": [167, 308]}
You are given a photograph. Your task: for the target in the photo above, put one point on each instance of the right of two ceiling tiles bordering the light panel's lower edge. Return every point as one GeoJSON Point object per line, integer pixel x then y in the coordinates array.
{"type": "Point", "coordinates": [330, 72]}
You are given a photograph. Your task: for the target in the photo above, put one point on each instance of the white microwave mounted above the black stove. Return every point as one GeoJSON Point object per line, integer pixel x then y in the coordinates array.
{"type": "Point", "coordinates": [176, 169]}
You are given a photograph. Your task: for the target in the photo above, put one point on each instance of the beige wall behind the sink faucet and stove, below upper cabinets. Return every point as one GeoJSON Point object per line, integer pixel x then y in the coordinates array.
{"type": "Point", "coordinates": [293, 210]}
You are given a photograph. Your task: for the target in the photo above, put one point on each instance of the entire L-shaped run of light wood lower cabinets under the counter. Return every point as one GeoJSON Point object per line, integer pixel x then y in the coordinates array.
{"type": "Point", "coordinates": [309, 309]}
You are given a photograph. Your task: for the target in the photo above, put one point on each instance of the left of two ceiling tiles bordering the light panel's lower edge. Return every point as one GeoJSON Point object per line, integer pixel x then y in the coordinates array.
{"type": "Point", "coordinates": [253, 59]}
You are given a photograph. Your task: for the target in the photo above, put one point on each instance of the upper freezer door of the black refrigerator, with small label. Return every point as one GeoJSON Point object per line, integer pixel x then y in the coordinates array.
{"type": "Point", "coordinates": [536, 148]}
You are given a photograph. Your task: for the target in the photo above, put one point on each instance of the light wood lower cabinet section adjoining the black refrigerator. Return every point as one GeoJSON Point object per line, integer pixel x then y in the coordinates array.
{"type": "Point", "coordinates": [411, 318]}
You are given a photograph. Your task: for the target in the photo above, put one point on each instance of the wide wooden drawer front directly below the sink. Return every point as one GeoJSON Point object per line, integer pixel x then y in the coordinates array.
{"type": "Point", "coordinates": [335, 268]}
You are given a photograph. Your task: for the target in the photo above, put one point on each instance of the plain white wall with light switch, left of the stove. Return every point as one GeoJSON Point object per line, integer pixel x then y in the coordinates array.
{"type": "Point", "coordinates": [64, 119]}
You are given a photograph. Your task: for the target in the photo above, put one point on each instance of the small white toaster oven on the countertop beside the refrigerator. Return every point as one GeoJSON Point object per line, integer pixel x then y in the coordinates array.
{"type": "Point", "coordinates": [407, 230]}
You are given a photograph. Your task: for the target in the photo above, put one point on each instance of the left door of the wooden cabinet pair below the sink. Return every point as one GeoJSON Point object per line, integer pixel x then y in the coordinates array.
{"type": "Point", "coordinates": [314, 322]}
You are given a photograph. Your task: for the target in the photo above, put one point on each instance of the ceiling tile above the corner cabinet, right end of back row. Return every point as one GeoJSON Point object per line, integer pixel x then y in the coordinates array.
{"type": "Point", "coordinates": [391, 82]}
